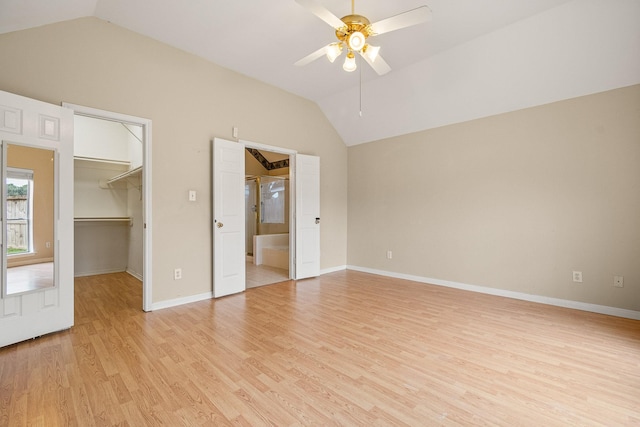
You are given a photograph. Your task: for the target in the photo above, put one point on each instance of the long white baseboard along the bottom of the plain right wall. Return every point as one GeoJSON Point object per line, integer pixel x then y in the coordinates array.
{"type": "Point", "coordinates": [594, 308]}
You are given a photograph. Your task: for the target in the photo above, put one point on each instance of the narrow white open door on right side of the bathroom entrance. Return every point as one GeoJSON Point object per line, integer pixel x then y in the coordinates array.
{"type": "Point", "coordinates": [307, 183]}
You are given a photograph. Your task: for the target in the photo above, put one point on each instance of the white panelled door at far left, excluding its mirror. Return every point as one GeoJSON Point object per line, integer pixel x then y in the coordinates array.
{"type": "Point", "coordinates": [25, 315]}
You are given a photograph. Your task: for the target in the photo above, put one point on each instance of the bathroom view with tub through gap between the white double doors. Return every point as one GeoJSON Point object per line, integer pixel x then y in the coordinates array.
{"type": "Point", "coordinates": [267, 217]}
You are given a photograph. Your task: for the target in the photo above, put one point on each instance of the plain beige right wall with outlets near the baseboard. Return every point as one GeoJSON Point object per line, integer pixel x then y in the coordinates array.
{"type": "Point", "coordinates": [515, 201]}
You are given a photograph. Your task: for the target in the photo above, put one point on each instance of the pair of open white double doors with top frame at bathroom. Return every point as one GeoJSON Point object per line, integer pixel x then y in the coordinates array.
{"type": "Point", "coordinates": [228, 222]}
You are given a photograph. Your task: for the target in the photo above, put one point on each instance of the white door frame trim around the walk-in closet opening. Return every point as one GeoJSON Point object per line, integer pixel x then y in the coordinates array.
{"type": "Point", "coordinates": [147, 283]}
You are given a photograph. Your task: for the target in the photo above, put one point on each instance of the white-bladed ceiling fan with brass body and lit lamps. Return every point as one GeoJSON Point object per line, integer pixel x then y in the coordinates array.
{"type": "Point", "coordinates": [352, 32]}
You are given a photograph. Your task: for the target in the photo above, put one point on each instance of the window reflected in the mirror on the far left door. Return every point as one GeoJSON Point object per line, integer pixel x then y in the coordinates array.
{"type": "Point", "coordinates": [19, 211]}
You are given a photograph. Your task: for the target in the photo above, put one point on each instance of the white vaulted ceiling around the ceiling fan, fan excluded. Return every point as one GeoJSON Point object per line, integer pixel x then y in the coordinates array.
{"type": "Point", "coordinates": [473, 59]}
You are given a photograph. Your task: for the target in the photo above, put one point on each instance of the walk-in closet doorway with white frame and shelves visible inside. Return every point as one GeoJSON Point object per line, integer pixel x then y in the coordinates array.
{"type": "Point", "coordinates": [112, 195]}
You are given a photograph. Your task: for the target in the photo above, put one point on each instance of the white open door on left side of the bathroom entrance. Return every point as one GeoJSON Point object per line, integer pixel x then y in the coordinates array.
{"type": "Point", "coordinates": [228, 218]}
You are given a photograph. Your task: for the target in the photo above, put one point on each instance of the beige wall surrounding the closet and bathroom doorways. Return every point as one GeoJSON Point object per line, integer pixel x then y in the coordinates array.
{"type": "Point", "coordinates": [91, 62]}
